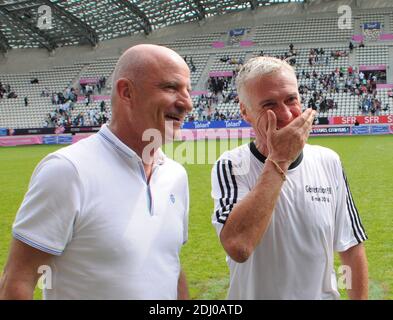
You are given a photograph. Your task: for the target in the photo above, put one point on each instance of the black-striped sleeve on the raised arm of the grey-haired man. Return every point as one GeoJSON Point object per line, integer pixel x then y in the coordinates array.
{"type": "Point", "coordinates": [228, 188]}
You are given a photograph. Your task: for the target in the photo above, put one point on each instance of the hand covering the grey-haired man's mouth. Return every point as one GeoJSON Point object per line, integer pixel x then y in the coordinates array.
{"type": "Point", "coordinates": [284, 145]}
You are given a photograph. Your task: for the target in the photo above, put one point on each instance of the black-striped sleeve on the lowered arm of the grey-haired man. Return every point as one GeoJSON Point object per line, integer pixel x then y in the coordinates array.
{"type": "Point", "coordinates": [349, 230]}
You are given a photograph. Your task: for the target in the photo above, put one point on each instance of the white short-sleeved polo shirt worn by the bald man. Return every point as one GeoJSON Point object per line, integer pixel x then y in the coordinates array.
{"type": "Point", "coordinates": [113, 236]}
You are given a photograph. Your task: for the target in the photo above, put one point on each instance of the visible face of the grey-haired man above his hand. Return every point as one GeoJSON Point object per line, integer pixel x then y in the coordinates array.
{"type": "Point", "coordinates": [278, 92]}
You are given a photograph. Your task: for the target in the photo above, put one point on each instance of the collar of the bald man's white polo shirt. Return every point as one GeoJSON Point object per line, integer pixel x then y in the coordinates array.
{"type": "Point", "coordinates": [117, 144]}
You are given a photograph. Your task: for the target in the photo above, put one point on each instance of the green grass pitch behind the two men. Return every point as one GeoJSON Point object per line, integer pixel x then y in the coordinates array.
{"type": "Point", "coordinates": [368, 162]}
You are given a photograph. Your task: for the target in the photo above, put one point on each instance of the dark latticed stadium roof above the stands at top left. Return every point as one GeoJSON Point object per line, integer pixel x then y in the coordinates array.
{"type": "Point", "coordinates": [55, 23]}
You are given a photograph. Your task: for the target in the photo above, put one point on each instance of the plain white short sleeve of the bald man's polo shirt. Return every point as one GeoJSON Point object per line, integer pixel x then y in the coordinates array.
{"type": "Point", "coordinates": [47, 214]}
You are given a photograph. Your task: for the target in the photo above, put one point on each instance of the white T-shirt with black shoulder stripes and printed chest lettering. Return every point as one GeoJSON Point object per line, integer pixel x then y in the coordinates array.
{"type": "Point", "coordinates": [314, 216]}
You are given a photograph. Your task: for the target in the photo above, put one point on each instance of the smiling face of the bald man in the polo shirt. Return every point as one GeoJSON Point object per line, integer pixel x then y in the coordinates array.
{"type": "Point", "coordinates": [164, 98]}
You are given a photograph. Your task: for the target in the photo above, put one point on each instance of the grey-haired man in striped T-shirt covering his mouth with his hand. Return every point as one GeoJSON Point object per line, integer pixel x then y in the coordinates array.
{"type": "Point", "coordinates": [282, 207]}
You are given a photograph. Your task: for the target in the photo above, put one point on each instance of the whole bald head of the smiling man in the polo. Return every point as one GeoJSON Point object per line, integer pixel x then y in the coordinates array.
{"type": "Point", "coordinates": [151, 90]}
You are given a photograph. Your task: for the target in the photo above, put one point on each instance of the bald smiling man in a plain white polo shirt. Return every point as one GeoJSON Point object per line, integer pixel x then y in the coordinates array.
{"type": "Point", "coordinates": [106, 217]}
